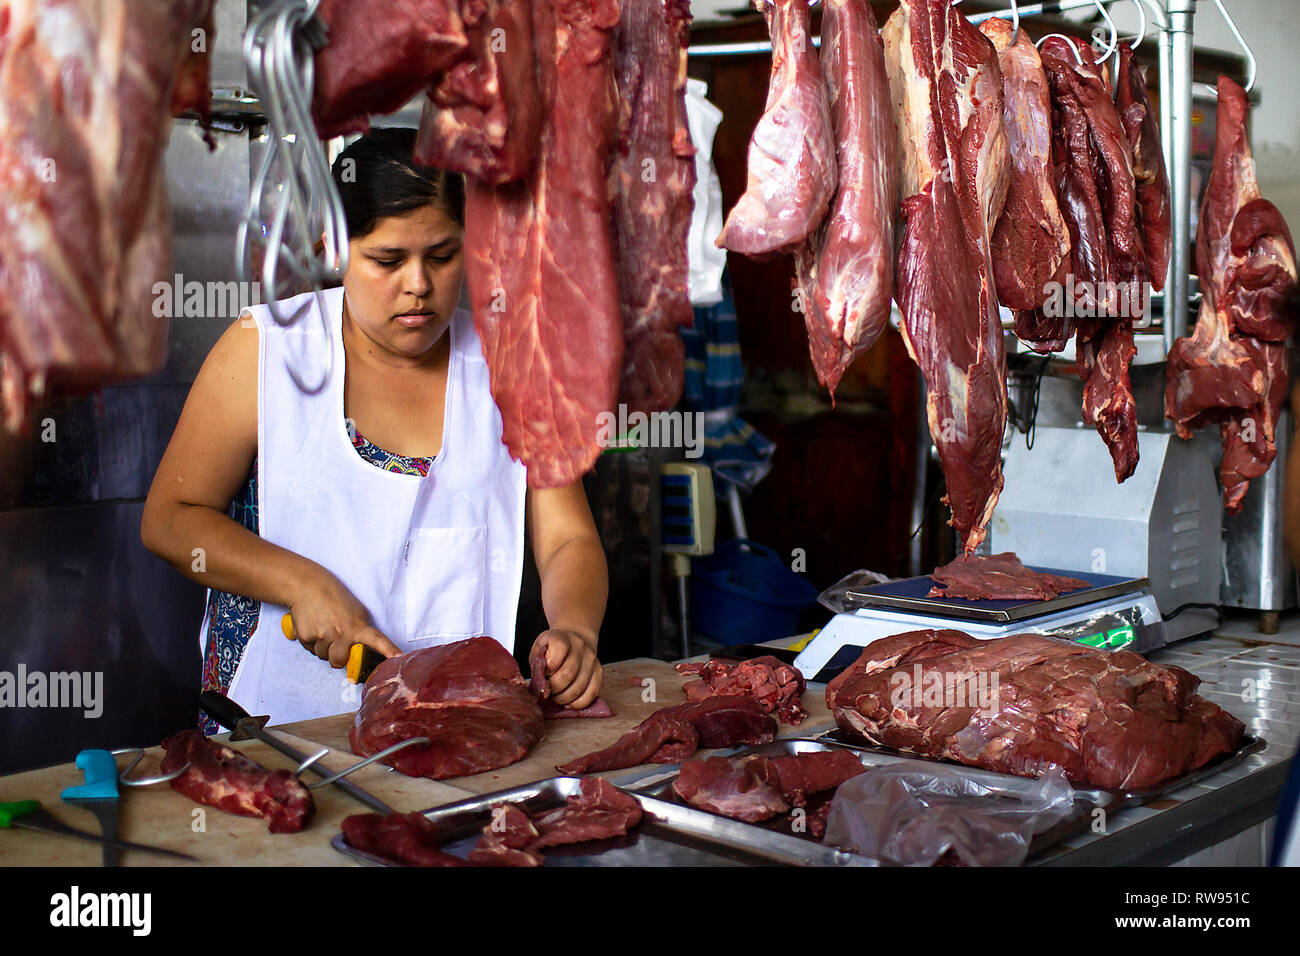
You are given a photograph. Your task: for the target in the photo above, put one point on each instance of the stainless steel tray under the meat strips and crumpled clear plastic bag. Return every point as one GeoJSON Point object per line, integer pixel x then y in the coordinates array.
{"type": "Point", "coordinates": [660, 786]}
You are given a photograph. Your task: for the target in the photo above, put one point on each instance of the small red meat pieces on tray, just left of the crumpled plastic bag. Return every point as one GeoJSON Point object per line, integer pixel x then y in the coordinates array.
{"type": "Point", "coordinates": [756, 789]}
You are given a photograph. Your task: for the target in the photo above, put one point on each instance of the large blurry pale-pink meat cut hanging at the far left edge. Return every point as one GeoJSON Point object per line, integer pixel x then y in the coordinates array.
{"type": "Point", "coordinates": [88, 89]}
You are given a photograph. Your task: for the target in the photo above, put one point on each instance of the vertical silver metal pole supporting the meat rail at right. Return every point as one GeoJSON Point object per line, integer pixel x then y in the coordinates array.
{"type": "Point", "coordinates": [1180, 106]}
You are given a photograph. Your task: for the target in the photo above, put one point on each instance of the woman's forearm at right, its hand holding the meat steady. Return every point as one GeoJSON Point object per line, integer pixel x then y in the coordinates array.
{"type": "Point", "coordinates": [575, 587]}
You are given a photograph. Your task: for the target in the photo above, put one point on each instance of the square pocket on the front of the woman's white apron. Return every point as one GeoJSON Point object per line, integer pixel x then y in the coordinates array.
{"type": "Point", "coordinates": [445, 573]}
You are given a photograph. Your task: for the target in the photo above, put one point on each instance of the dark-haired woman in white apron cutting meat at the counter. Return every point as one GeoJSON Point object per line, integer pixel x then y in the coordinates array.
{"type": "Point", "coordinates": [382, 509]}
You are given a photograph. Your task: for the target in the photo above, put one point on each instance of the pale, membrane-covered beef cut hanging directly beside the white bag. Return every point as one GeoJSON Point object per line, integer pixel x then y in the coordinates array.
{"type": "Point", "coordinates": [792, 174]}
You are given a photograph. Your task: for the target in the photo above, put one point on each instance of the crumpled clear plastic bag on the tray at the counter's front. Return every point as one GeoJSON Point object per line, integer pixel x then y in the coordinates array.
{"type": "Point", "coordinates": [917, 815]}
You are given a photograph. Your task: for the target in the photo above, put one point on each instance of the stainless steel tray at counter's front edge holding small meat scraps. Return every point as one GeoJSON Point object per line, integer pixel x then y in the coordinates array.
{"type": "Point", "coordinates": [669, 836]}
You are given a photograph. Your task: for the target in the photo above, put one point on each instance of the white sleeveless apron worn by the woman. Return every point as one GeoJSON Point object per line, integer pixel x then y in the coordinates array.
{"type": "Point", "coordinates": [435, 560]}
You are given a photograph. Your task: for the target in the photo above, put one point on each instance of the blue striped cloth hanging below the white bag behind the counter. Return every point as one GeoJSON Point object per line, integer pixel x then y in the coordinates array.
{"type": "Point", "coordinates": [738, 455]}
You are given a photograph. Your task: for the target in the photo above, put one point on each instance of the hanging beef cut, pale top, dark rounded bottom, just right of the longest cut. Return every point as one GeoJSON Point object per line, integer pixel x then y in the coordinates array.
{"type": "Point", "coordinates": [1032, 243]}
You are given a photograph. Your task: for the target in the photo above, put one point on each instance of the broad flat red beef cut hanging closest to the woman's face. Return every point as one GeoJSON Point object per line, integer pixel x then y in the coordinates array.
{"type": "Point", "coordinates": [540, 257]}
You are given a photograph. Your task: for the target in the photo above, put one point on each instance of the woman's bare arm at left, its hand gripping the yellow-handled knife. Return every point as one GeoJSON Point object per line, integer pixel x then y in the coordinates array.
{"type": "Point", "coordinates": [205, 468]}
